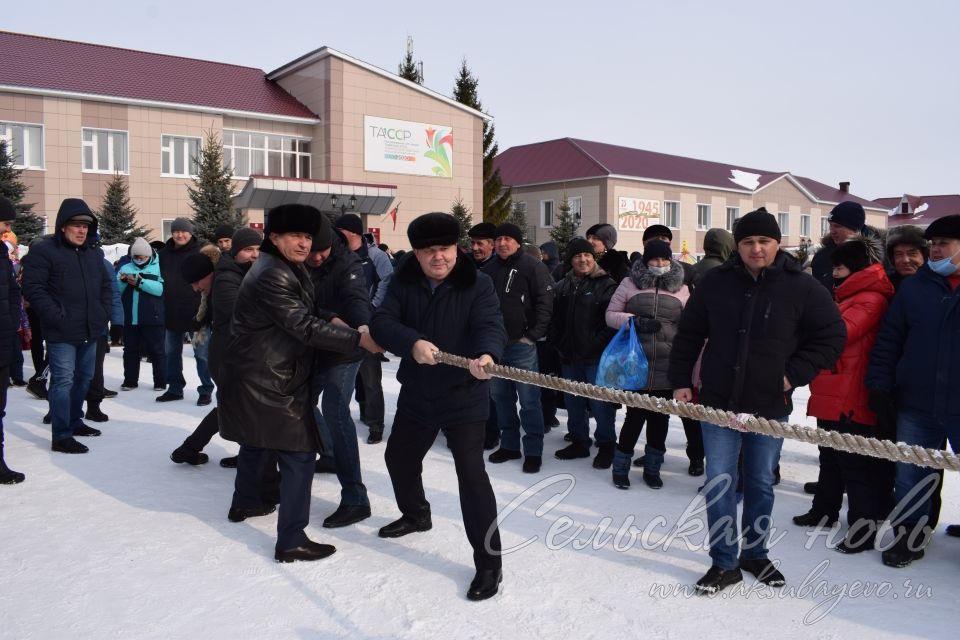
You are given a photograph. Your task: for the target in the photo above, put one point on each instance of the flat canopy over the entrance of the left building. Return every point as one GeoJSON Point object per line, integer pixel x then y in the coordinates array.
{"type": "Point", "coordinates": [264, 192]}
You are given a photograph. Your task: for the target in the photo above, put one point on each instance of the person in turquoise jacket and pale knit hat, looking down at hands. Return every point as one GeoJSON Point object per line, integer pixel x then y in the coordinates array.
{"type": "Point", "coordinates": [141, 292]}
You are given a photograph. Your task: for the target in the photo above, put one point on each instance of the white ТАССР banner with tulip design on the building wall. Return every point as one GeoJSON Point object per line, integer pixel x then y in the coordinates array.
{"type": "Point", "coordinates": [415, 148]}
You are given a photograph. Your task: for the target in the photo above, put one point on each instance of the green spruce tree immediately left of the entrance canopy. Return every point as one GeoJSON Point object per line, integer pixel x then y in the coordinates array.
{"type": "Point", "coordinates": [211, 196]}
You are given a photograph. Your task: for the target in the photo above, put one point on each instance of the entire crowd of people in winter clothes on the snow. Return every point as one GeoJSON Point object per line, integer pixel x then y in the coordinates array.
{"type": "Point", "coordinates": [288, 326]}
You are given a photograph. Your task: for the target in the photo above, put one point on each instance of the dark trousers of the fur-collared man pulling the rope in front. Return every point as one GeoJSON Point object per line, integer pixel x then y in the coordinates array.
{"type": "Point", "coordinates": [408, 444]}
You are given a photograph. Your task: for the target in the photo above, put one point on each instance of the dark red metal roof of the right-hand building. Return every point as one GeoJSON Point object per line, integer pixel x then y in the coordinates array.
{"type": "Point", "coordinates": [570, 159]}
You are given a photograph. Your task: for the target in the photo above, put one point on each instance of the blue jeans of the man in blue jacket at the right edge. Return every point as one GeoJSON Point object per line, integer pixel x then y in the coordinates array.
{"type": "Point", "coordinates": [915, 427]}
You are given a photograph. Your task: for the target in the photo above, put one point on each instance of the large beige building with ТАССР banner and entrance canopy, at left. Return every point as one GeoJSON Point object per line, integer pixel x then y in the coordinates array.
{"type": "Point", "coordinates": [325, 129]}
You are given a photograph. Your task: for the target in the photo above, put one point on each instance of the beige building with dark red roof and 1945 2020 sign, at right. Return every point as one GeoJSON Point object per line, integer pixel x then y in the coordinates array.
{"type": "Point", "coordinates": [632, 189]}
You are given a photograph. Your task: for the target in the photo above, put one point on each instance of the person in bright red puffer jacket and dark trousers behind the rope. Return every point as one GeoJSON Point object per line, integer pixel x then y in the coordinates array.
{"type": "Point", "coordinates": [838, 399]}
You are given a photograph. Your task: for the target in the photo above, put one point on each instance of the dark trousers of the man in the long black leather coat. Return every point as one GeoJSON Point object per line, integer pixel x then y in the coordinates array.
{"type": "Point", "coordinates": [296, 478]}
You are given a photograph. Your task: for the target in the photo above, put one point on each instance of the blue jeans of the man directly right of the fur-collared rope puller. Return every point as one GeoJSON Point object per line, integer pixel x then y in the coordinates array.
{"type": "Point", "coordinates": [505, 394]}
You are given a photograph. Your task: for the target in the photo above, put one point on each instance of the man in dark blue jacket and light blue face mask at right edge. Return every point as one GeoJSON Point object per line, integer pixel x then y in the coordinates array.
{"type": "Point", "coordinates": [915, 372]}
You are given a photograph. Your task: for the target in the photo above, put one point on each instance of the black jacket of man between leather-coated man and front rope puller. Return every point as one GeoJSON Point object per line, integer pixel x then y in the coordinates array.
{"type": "Point", "coordinates": [340, 291]}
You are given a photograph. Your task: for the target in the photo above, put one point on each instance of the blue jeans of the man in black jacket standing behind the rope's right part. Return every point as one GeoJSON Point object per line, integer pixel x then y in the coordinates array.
{"type": "Point", "coordinates": [761, 454]}
